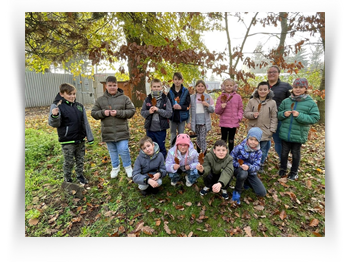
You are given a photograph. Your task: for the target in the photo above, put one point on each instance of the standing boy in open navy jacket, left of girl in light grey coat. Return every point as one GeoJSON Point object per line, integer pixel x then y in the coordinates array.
{"type": "Point", "coordinates": [180, 101]}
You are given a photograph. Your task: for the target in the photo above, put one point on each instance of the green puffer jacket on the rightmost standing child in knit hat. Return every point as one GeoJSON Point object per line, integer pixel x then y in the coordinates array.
{"type": "Point", "coordinates": [296, 129]}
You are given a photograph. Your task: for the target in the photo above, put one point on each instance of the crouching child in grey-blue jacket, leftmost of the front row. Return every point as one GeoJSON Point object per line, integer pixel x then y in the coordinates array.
{"type": "Point", "coordinates": [149, 168]}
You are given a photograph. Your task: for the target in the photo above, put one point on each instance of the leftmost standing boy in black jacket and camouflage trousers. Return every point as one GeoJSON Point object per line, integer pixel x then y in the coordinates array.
{"type": "Point", "coordinates": [69, 117]}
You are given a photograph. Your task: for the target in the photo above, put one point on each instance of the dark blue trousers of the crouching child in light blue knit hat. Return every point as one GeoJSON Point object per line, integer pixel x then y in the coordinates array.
{"type": "Point", "coordinates": [244, 177]}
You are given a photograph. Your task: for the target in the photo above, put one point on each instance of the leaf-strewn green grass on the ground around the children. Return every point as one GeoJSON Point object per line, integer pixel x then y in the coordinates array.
{"type": "Point", "coordinates": [115, 207]}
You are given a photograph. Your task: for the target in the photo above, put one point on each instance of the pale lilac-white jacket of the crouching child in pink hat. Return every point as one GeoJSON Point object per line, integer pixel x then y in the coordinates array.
{"type": "Point", "coordinates": [190, 159]}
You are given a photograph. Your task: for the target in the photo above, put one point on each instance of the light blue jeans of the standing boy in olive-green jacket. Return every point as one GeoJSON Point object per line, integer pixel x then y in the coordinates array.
{"type": "Point", "coordinates": [120, 148]}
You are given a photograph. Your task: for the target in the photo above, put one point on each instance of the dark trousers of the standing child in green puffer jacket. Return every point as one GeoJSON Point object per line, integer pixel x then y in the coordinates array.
{"type": "Point", "coordinates": [294, 148]}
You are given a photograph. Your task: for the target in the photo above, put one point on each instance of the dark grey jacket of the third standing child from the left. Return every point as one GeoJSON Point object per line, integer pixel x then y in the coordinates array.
{"type": "Point", "coordinates": [164, 111]}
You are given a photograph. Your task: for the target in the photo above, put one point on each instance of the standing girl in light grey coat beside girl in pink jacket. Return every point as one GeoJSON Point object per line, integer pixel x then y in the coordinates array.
{"type": "Point", "coordinates": [200, 120]}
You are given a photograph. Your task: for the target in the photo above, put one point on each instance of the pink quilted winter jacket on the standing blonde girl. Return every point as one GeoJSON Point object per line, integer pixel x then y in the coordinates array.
{"type": "Point", "coordinates": [232, 114]}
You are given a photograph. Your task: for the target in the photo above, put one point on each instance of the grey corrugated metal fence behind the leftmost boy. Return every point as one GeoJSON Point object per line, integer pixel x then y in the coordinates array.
{"type": "Point", "coordinates": [41, 89]}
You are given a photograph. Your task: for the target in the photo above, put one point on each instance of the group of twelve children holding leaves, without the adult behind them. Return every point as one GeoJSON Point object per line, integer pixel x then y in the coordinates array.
{"type": "Point", "coordinates": [161, 112]}
